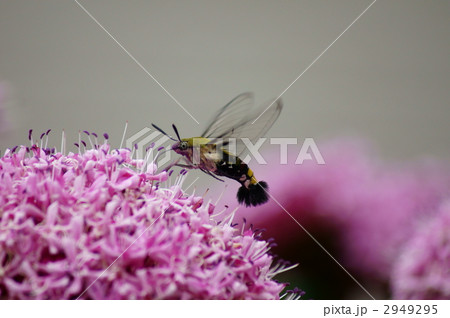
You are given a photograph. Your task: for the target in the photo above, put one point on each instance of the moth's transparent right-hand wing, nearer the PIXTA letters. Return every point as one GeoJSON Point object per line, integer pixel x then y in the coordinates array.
{"type": "Point", "coordinates": [253, 127]}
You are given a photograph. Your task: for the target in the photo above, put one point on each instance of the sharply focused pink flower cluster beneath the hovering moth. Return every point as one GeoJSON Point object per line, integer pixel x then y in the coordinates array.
{"type": "Point", "coordinates": [100, 225]}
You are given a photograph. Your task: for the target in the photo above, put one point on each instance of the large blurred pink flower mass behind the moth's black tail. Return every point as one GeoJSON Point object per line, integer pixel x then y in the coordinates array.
{"type": "Point", "coordinates": [371, 207]}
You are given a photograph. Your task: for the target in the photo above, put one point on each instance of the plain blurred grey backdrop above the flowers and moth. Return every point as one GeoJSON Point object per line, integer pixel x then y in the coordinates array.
{"type": "Point", "coordinates": [386, 78]}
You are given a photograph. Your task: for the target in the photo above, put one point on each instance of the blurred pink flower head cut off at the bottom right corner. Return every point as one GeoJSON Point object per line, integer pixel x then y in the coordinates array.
{"type": "Point", "coordinates": [423, 269]}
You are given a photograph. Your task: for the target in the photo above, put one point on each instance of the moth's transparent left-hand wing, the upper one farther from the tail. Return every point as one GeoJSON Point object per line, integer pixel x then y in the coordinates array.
{"type": "Point", "coordinates": [229, 116]}
